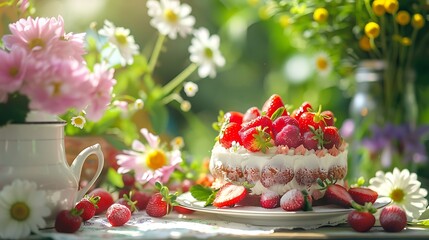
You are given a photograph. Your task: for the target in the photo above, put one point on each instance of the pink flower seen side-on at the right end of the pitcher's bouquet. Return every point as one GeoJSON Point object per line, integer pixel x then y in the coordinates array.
{"type": "Point", "coordinates": [103, 82]}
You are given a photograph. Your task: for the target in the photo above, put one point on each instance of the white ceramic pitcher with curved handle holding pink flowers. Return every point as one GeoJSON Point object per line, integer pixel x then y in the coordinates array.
{"type": "Point", "coordinates": [35, 152]}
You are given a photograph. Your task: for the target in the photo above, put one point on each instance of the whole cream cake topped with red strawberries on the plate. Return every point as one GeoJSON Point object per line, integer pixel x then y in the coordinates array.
{"type": "Point", "coordinates": [269, 149]}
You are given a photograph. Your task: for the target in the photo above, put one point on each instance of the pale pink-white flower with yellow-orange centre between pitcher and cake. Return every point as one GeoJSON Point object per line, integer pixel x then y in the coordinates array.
{"type": "Point", "coordinates": [149, 162]}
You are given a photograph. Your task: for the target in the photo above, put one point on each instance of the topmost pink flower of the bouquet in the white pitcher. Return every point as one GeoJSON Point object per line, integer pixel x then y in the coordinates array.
{"type": "Point", "coordinates": [36, 36]}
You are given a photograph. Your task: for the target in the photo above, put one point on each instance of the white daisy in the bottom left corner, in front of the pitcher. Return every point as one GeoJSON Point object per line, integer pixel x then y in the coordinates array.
{"type": "Point", "coordinates": [22, 209]}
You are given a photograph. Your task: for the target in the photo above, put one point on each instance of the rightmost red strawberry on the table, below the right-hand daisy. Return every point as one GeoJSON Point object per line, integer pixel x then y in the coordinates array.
{"type": "Point", "coordinates": [393, 218]}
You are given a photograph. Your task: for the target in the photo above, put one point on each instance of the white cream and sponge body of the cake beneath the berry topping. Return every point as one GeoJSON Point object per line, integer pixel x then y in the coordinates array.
{"type": "Point", "coordinates": [279, 169]}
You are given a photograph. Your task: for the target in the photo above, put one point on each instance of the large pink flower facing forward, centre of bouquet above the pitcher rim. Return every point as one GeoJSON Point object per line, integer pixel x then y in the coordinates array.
{"type": "Point", "coordinates": [57, 85]}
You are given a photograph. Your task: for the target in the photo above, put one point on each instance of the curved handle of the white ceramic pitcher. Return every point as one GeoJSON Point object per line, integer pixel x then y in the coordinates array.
{"type": "Point", "coordinates": [77, 165]}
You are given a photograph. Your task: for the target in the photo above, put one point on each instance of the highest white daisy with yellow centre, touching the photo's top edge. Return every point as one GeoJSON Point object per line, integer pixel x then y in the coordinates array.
{"type": "Point", "coordinates": [170, 17]}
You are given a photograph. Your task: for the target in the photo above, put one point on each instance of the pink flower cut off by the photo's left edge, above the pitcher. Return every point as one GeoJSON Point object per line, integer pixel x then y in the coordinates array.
{"type": "Point", "coordinates": [12, 70]}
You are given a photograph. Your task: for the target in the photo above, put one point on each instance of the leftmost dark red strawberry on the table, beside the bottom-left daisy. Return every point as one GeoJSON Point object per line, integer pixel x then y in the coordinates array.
{"type": "Point", "coordinates": [68, 221]}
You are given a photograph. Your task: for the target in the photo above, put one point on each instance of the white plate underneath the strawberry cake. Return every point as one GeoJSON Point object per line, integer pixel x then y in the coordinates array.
{"type": "Point", "coordinates": [327, 215]}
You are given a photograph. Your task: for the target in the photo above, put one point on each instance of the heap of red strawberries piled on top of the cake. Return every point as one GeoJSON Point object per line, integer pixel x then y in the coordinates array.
{"type": "Point", "coordinates": [272, 125]}
